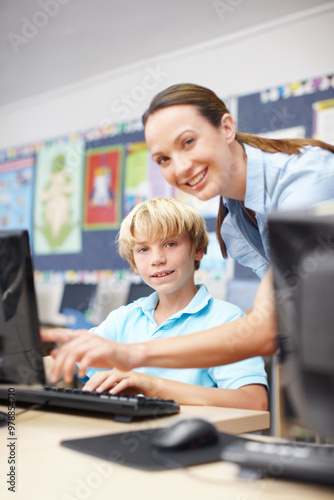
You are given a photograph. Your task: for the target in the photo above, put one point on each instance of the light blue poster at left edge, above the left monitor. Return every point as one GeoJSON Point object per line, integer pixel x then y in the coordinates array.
{"type": "Point", "coordinates": [16, 193]}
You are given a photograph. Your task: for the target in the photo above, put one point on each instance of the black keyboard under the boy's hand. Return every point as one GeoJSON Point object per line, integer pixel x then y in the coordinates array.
{"type": "Point", "coordinates": [122, 407]}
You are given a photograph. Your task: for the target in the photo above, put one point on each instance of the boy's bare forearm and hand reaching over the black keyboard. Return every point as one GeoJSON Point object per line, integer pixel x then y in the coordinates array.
{"type": "Point", "coordinates": [251, 397]}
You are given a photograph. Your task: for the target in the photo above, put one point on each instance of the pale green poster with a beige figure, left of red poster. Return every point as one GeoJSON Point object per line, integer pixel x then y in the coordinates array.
{"type": "Point", "coordinates": [58, 198]}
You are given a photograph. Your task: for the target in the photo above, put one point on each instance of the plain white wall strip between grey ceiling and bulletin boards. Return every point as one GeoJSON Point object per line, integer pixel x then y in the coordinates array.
{"type": "Point", "coordinates": [288, 49]}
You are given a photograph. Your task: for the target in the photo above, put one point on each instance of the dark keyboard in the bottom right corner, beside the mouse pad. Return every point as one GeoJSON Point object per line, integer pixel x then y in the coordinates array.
{"type": "Point", "coordinates": [291, 460]}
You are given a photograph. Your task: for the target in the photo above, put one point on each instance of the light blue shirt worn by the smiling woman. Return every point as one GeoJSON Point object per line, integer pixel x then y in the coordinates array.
{"type": "Point", "coordinates": [275, 181]}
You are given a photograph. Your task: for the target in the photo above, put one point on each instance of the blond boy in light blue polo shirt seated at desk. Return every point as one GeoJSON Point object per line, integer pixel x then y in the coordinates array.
{"type": "Point", "coordinates": [164, 242]}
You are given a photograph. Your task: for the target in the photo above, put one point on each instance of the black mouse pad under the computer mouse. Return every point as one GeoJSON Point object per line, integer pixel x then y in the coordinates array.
{"type": "Point", "coordinates": [134, 449]}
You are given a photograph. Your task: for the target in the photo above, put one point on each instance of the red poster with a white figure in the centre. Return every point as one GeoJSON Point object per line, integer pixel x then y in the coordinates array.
{"type": "Point", "coordinates": [103, 188]}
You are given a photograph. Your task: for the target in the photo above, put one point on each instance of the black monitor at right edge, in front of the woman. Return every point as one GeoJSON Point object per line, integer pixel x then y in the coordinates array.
{"type": "Point", "coordinates": [293, 237]}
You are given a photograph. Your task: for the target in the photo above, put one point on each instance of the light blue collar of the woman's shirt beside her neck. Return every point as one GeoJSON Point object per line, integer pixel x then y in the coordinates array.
{"type": "Point", "coordinates": [254, 197]}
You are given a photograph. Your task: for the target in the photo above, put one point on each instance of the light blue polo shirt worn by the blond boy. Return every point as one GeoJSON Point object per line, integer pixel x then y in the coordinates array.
{"type": "Point", "coordinates": [135, 323]}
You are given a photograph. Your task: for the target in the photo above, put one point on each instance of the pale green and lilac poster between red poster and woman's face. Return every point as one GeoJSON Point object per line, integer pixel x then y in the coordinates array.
{"type": "Point", "coordinates": [143, 178]}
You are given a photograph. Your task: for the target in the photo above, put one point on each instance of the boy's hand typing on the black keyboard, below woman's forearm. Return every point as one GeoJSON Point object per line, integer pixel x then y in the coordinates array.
{"type": "Point", "coordinates": [116, 381]}
